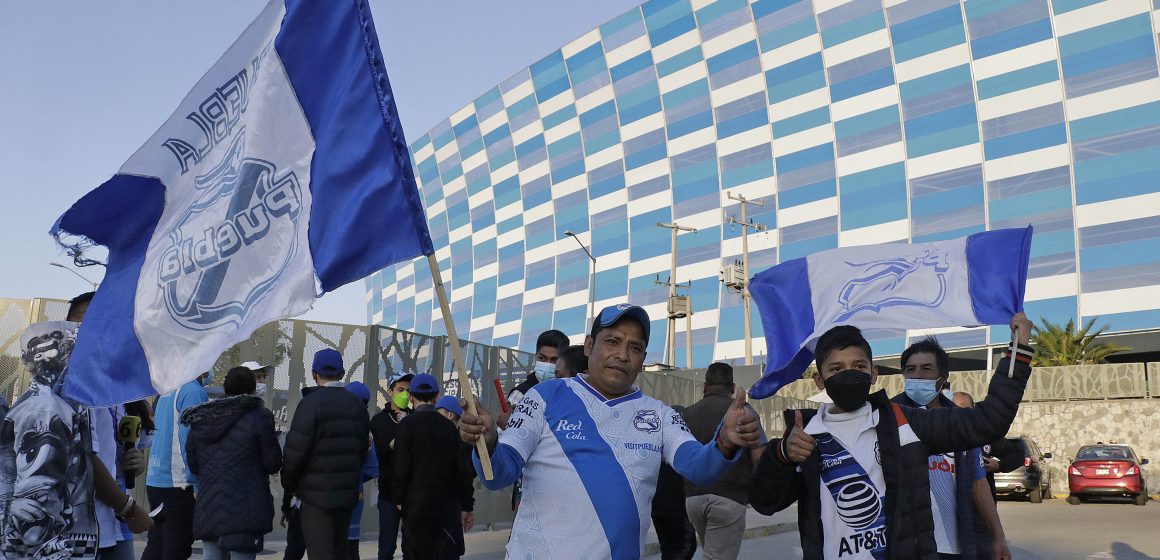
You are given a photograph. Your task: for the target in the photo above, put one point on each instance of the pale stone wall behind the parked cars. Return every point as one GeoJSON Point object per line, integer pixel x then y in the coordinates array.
{"type": "Point", "coordinates": [1062, 428]}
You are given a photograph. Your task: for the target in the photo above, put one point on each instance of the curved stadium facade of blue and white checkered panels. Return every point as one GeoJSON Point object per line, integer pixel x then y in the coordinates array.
{"type": "Point", "coordinates": [854, 122]}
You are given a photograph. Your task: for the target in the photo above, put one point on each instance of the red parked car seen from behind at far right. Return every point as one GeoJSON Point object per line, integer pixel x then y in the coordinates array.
{"type": "Point", "coordinates": [1103, 471]}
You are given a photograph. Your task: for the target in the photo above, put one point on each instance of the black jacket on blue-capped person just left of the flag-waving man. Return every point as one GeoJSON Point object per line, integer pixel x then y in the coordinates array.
{"type": "Point", "coordinates": [432, 468]}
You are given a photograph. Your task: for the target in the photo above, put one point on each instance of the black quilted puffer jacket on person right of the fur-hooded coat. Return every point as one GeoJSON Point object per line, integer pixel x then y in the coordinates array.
{"type": "Point", "coordinates": [325, 450]}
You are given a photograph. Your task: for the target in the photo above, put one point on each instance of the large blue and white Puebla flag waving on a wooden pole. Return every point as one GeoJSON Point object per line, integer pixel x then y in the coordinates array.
{"type": "Point", "coordinates": [282, 176]}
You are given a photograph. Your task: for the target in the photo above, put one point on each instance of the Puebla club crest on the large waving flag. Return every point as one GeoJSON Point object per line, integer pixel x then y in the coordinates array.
{"type": "Point", "coordinates": [230, 246]}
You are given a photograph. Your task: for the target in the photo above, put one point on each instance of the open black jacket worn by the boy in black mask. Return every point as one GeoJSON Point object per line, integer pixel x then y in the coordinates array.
{"type": "Point", "coordinates": [910, 527]}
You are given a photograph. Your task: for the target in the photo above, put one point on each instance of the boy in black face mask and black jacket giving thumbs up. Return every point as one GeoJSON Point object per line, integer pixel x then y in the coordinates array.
{"type": "Point", "coordinates": [860, 467]}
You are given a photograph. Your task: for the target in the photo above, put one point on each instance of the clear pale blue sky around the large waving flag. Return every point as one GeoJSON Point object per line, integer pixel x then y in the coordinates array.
{"type": "Point", "coordinates": [85, 85]}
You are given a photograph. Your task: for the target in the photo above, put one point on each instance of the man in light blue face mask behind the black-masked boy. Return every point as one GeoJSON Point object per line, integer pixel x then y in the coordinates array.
{"type": "Point", "coordinates": [966, 520]}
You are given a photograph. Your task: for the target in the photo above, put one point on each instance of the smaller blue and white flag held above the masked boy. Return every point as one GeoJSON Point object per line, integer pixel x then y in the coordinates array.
{"type": "Point", "coordinates": [967, 282]}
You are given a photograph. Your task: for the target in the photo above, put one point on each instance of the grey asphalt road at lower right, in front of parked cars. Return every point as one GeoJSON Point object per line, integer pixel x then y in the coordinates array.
{"type": "Point", "coordinates": [1052, 530]}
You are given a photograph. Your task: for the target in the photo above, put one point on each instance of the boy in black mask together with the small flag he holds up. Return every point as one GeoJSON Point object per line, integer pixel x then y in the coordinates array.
{"type": "Point", "coordinates": [858, 469]}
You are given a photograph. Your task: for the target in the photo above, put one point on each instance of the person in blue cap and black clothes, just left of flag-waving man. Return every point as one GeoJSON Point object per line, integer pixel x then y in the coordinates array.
{"type": "Point", "coordinates": [430, 482]}
